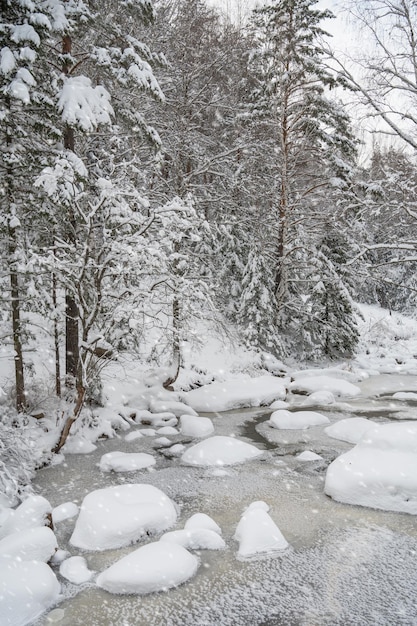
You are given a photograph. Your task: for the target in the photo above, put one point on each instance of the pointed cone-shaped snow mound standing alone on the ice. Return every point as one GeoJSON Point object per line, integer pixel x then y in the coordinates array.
{"type": "Point", "coordinates": [257, 533]}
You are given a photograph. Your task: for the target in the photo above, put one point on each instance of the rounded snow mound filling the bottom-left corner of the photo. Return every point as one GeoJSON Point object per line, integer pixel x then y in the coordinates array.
{"type": "Point", "coordinates": [27, 589]}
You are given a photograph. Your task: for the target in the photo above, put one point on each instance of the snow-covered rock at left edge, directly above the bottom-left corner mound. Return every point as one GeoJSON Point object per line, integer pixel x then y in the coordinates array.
{"type": "Point", "coordinates": [31, 544]}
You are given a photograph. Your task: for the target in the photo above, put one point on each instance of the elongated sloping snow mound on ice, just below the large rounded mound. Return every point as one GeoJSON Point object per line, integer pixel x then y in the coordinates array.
{"type": "Point", "coordinates": [155, 567]}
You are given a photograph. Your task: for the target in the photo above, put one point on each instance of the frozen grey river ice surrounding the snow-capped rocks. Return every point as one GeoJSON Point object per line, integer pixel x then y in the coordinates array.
{"type": "Point", "coordinates": [347, 565]}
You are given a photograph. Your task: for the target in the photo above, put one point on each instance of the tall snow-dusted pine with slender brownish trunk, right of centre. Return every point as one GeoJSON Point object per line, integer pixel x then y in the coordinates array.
{"type": "Point", "coordinates": [311, 144]}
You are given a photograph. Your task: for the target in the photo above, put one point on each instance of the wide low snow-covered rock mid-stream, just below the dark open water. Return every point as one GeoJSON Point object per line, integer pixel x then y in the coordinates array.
{"type": "Point", "coordinates": [220, 450]}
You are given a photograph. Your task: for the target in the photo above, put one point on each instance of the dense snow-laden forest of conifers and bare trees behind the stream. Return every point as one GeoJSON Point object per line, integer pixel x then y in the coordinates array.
{"type": "Point", "coordinates": [163, 166]}
